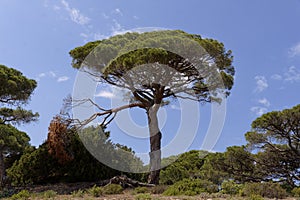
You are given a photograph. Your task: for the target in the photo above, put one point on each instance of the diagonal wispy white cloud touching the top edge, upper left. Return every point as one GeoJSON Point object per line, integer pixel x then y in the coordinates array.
{"type": "Point", "coordinates": [75, 14]}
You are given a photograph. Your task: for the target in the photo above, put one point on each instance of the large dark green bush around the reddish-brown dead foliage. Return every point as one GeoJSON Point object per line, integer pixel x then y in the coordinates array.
{"type": "Point", "coordinates": [40, 167]}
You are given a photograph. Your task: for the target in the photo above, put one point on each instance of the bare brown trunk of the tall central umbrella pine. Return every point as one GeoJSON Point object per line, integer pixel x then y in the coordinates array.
{"type": "Point", "coordinates": [155, 144]}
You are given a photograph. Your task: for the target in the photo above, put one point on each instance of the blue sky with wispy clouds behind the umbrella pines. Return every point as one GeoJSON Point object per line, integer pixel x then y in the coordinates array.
{"type": "Point", "coordinates": [264, 36]}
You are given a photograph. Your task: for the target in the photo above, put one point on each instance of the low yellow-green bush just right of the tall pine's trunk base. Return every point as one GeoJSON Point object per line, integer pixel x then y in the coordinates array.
{"type": "Point", "coordinates": [191, 187]}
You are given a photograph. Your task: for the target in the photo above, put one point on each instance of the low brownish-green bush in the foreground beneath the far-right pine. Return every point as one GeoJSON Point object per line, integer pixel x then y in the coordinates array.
{"type": "Point", "coordinates": [267, 189]}
